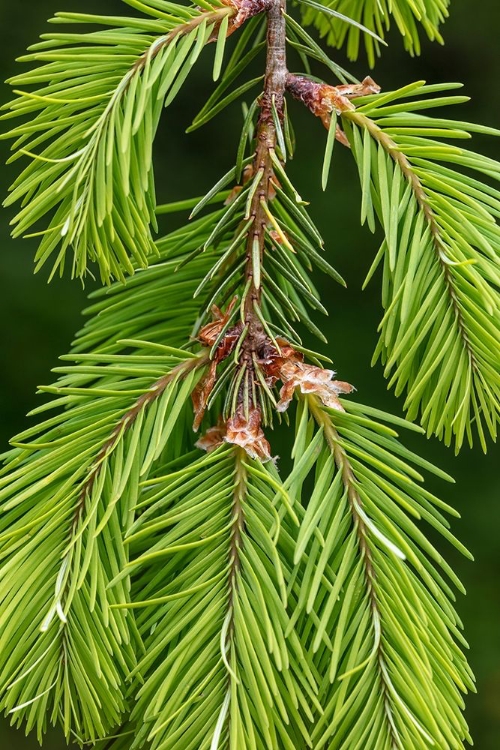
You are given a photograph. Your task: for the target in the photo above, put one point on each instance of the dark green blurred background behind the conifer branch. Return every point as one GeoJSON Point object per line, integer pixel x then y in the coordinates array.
{"type": "Point", "coordinates": [37, 321]}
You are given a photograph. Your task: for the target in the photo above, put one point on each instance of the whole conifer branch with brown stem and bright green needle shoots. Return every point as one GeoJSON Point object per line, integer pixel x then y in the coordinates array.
{"type": "Point", "coordinates": [172, 588]}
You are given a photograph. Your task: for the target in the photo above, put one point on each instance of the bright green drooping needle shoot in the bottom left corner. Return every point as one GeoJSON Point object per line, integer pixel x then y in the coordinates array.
{"type": "Point", "coordinates": [67, 496]}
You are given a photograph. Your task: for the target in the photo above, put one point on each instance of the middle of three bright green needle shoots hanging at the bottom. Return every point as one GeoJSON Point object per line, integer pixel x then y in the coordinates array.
{"type": "Point", "coordinates": [223, 636]}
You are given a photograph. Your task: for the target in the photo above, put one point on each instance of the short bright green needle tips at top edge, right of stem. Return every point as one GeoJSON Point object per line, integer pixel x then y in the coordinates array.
{"type": "Point", "coordinates": [410, 16]}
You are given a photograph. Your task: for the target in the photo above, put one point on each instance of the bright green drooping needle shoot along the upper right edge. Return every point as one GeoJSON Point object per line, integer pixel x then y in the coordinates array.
{"type": "Point", "coordinates": [439, 337]}
